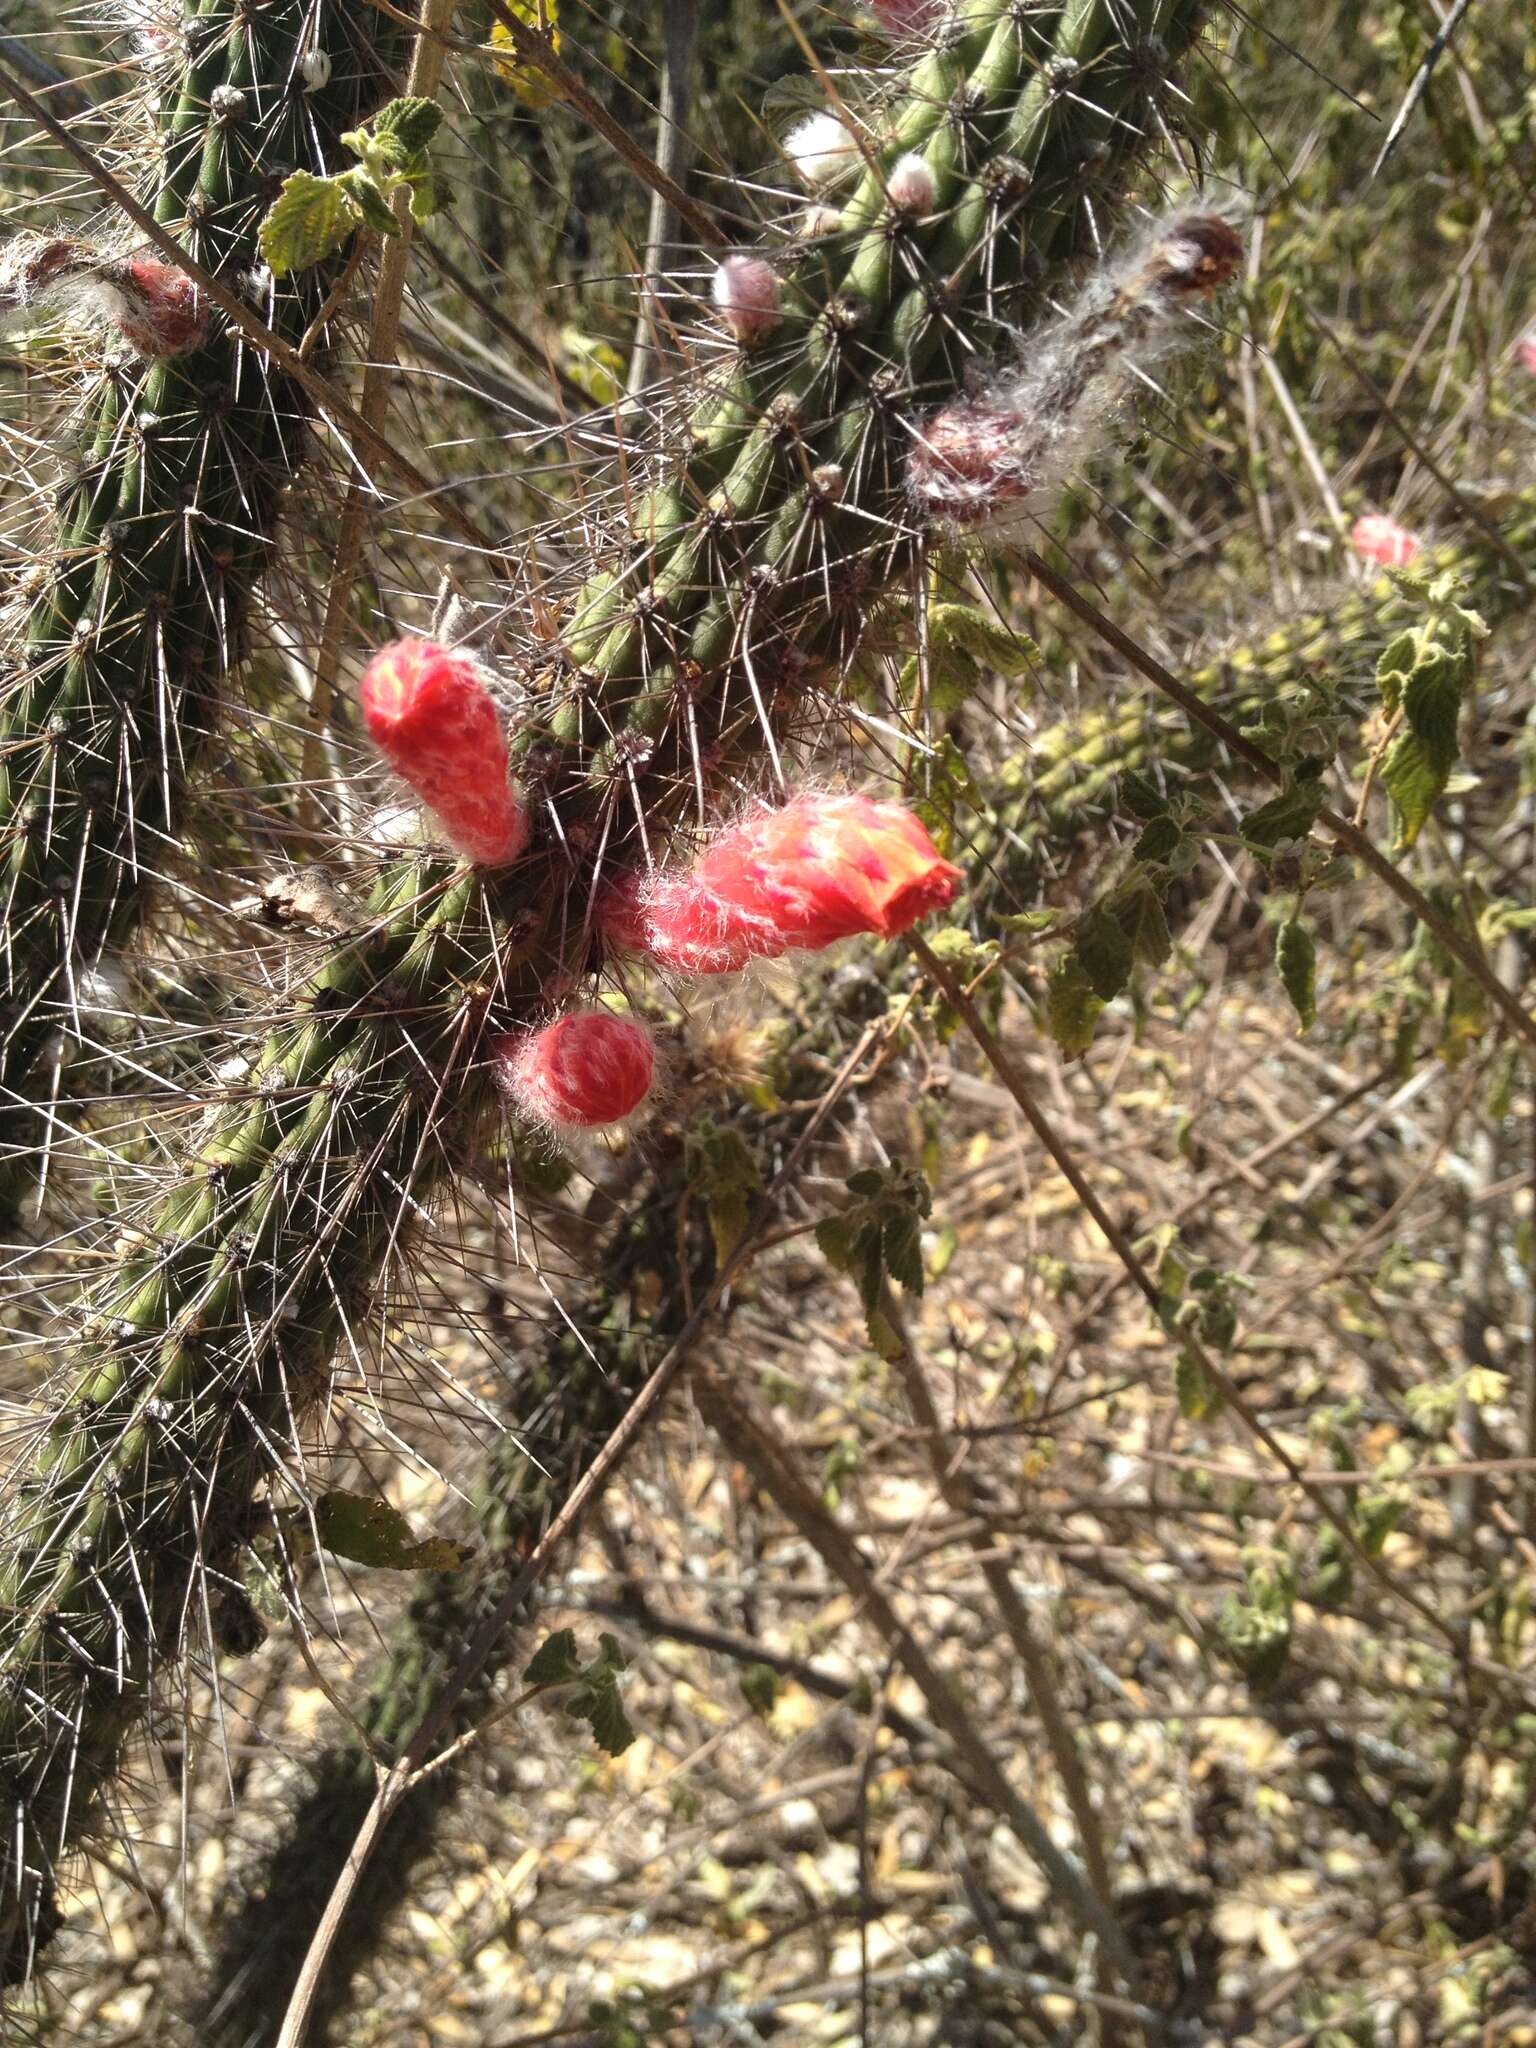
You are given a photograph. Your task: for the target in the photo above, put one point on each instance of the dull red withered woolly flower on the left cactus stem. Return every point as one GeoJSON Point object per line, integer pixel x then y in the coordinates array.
{"type": "Point", "coordinates": [155, 306]}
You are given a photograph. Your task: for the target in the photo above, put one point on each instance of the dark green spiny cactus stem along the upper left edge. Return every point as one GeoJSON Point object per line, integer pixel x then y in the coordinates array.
{"type": "Point", "coordinates": [157, 542]}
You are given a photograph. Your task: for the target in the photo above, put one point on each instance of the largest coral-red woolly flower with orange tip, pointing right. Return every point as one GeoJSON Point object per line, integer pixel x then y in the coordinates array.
{"type": "Point", "coordinates": [790, 880]}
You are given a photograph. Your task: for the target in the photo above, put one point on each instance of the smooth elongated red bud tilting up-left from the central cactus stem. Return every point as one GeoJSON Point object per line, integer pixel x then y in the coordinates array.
{"type": "Point", "coordinates": [433, 720]}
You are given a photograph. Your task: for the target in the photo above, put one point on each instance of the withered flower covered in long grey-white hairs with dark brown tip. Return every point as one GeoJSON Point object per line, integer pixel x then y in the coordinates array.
{"type": "Point", "coordinates": [1002, 456]}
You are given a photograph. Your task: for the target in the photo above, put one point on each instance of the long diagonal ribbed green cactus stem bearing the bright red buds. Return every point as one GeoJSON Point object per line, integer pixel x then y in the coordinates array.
{"type": "Point", "coordinates": [746, 581]}
